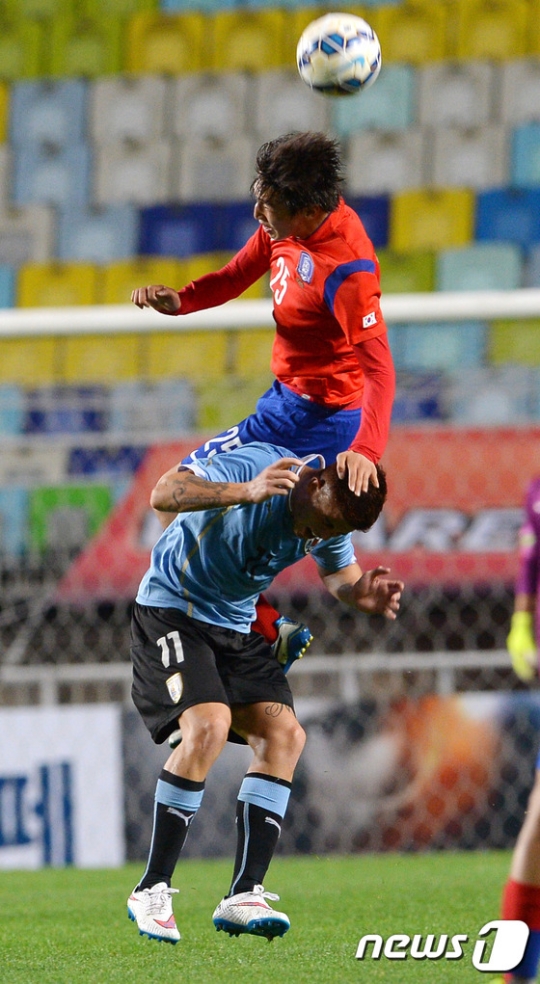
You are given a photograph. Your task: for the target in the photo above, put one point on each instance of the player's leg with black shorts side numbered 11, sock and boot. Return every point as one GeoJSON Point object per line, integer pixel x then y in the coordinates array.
{"type": "Point", "coordinates": [175, 680]}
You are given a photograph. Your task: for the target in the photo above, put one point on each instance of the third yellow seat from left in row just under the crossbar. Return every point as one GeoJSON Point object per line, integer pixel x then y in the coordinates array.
{"type": "Point", "coordinates": [195, 355]}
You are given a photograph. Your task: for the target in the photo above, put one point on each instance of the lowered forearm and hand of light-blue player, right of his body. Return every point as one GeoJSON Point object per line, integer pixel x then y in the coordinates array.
{"type": "Point", "coordinates": [368, 592]}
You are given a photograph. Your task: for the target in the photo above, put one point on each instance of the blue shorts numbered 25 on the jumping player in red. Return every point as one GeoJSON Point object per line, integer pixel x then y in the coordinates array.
{"type": "Point", "coordinates": [284, 418]}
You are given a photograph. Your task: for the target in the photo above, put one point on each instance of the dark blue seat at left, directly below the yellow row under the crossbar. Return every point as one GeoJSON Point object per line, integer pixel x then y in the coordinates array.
{"type": "Point", "coordinates": [66, 410]}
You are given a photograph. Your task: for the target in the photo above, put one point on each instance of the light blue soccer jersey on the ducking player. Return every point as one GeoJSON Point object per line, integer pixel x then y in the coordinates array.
{"type": "Point", "coordinates": [214, 563]}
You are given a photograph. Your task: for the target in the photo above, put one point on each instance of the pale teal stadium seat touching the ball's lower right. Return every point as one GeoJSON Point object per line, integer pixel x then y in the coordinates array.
{"type": "Point", "coordinates": [388, 105]}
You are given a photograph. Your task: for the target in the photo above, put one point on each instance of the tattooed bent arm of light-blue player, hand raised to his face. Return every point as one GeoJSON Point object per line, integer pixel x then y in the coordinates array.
{"type": "Point", "coordinates": [179, 490]}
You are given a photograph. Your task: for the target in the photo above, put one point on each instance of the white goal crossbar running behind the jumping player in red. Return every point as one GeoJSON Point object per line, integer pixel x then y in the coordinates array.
{"type": "Point", "coordinates": [397, 308]}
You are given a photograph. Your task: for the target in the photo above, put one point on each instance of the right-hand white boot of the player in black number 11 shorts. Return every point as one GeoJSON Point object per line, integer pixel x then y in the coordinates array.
{"type": "Point", "coordinates": [249, 912]}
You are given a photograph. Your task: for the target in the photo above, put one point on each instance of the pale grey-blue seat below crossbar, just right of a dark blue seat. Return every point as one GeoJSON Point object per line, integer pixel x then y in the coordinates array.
{"type": "Point", "coordinates": [156, 410]}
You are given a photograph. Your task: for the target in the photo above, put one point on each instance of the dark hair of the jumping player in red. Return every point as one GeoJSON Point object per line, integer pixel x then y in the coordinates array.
{"type": "Point", "coordinates": [302, 170]}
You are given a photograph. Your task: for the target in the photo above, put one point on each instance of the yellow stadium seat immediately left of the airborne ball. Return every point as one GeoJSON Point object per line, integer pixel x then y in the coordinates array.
{"type": "Point", "coordinates": [251, 40]}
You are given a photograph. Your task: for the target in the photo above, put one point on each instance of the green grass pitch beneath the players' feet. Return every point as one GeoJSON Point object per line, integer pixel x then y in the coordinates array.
{"type": "Point", "coordinates": [71, 926]}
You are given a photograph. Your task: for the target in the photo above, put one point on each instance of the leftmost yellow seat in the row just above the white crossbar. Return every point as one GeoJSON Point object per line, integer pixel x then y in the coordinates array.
{"type": "Point", "coordinates": [57, 284]}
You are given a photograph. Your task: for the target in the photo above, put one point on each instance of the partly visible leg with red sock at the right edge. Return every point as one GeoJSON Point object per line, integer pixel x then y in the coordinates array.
{"type": "Point", "coordinates": [521, 897]}
